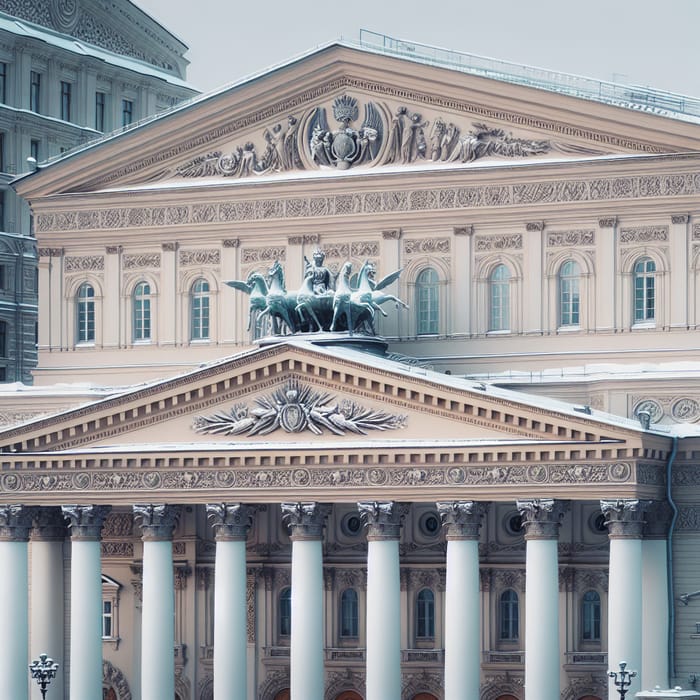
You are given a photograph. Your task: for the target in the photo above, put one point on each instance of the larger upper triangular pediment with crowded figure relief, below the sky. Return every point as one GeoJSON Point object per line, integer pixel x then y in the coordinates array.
{"type": "Point", "coordinates": [346, 110]}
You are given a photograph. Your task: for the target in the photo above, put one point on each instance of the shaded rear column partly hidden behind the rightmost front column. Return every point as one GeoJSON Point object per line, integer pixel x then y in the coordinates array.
{"type": "Point", "coordinates": [655, 612]}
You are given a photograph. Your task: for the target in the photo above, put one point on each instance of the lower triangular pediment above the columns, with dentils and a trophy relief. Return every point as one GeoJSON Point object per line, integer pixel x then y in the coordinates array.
{"type": "Point", "coordinates": [298, 393]}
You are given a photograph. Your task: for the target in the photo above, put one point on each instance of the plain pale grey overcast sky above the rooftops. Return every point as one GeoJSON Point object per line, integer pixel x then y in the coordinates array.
{"type": "Point", "coordinates": [645, 42]}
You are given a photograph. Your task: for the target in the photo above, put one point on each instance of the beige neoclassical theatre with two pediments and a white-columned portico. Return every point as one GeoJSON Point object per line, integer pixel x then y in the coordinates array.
{"type": "Point", "coordinates": [489, 493]}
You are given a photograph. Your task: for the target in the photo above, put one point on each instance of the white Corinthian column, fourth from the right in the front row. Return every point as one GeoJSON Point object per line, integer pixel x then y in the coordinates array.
{"type": "Point", "coordinates": [382, 521]}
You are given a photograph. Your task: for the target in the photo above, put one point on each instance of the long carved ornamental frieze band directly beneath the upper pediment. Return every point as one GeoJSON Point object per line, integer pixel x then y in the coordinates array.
{"type": "Point", "coordinates": [387, 202]}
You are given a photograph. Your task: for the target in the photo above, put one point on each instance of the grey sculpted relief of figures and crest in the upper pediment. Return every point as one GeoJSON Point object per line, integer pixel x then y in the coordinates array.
{"type": "Point", "coordinates": [312, 140]}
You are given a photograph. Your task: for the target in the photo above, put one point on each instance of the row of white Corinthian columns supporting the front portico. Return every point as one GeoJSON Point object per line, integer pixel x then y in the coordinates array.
{"type": "Point", "coordinates": [305, 521]}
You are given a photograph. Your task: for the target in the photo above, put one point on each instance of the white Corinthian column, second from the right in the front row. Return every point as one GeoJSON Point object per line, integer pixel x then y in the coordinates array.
{"type": "Point", "coordinates": [541, 520]}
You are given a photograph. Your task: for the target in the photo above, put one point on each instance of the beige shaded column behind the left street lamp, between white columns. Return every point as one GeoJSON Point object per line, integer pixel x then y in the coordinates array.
{"type": "Point", "coordinates": [47, 609]}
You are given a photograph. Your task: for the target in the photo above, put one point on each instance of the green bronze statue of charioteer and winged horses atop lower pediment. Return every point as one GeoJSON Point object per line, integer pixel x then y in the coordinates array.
{"type": "Point", "coordinates": [324, 302]}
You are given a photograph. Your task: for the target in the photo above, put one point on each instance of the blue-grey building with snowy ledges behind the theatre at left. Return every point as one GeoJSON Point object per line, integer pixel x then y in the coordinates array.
{"type": "Point", "coordinates": [69, 73]}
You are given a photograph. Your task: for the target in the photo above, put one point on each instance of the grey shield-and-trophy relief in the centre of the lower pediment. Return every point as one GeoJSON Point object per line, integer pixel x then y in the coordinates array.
{"type": "Point", "coordinates": [296, 408]}
